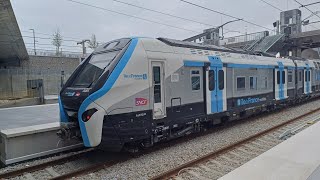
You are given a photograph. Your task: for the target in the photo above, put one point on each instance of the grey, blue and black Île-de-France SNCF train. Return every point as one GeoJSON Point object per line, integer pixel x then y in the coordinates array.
{"type": "Point", "coordinates": [132, 93]}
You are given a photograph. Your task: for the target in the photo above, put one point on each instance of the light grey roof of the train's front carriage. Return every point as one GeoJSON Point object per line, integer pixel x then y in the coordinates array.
{"type": "Point", "coordinates": [199, 53]}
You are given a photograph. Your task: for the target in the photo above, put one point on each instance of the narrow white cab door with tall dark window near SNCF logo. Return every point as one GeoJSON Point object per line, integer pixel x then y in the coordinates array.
{"type": "Point", "coordinates": [158, 76]}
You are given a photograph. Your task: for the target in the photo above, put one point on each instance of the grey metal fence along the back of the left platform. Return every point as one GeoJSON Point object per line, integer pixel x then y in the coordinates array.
{"type": "Point", "coordinates": [22, 83]}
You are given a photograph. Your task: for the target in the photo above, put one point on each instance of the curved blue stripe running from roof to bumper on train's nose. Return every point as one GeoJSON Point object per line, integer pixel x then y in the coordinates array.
{"type": "Point", "coordinates": [106, 87]}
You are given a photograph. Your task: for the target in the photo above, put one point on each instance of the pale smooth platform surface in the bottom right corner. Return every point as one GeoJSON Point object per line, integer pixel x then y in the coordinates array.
{"type": "Point", "coordinates": [297, 158]}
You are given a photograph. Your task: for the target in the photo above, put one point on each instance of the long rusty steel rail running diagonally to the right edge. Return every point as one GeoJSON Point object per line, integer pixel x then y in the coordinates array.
{"type": "Point", "coordinates": [173, 172]}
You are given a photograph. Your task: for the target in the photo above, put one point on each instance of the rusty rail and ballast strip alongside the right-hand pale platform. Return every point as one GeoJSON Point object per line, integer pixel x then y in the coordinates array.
{"type": "Point", "coordinates": [216, 164]}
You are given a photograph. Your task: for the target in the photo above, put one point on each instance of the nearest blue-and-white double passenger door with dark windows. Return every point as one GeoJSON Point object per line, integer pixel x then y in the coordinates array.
{"type": "Point", "coordinates": [215, 84]}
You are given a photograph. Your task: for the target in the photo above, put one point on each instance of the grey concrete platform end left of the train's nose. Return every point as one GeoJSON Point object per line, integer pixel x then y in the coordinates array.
{"type": "Point", "coordinates": [30, 132]}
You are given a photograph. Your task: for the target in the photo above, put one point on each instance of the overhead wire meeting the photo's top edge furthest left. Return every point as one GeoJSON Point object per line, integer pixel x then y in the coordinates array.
{"type": "Point", "coordinates": [128, 15]}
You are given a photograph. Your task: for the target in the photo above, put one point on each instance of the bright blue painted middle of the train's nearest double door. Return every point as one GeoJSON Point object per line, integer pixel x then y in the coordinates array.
{"type": "Point", "coordinates": [216, 94]}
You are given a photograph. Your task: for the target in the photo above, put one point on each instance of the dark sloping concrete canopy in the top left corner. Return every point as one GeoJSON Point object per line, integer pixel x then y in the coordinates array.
{"type": "Point", "coordinates": [12, 47]}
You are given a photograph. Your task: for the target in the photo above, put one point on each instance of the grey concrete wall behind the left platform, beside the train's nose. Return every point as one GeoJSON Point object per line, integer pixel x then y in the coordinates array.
{"type": "Point", "coordinates": [13, 81]}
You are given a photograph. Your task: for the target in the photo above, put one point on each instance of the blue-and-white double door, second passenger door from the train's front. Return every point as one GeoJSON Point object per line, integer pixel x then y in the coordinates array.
{"type": "Point", "coordinates": [280, 82]}
